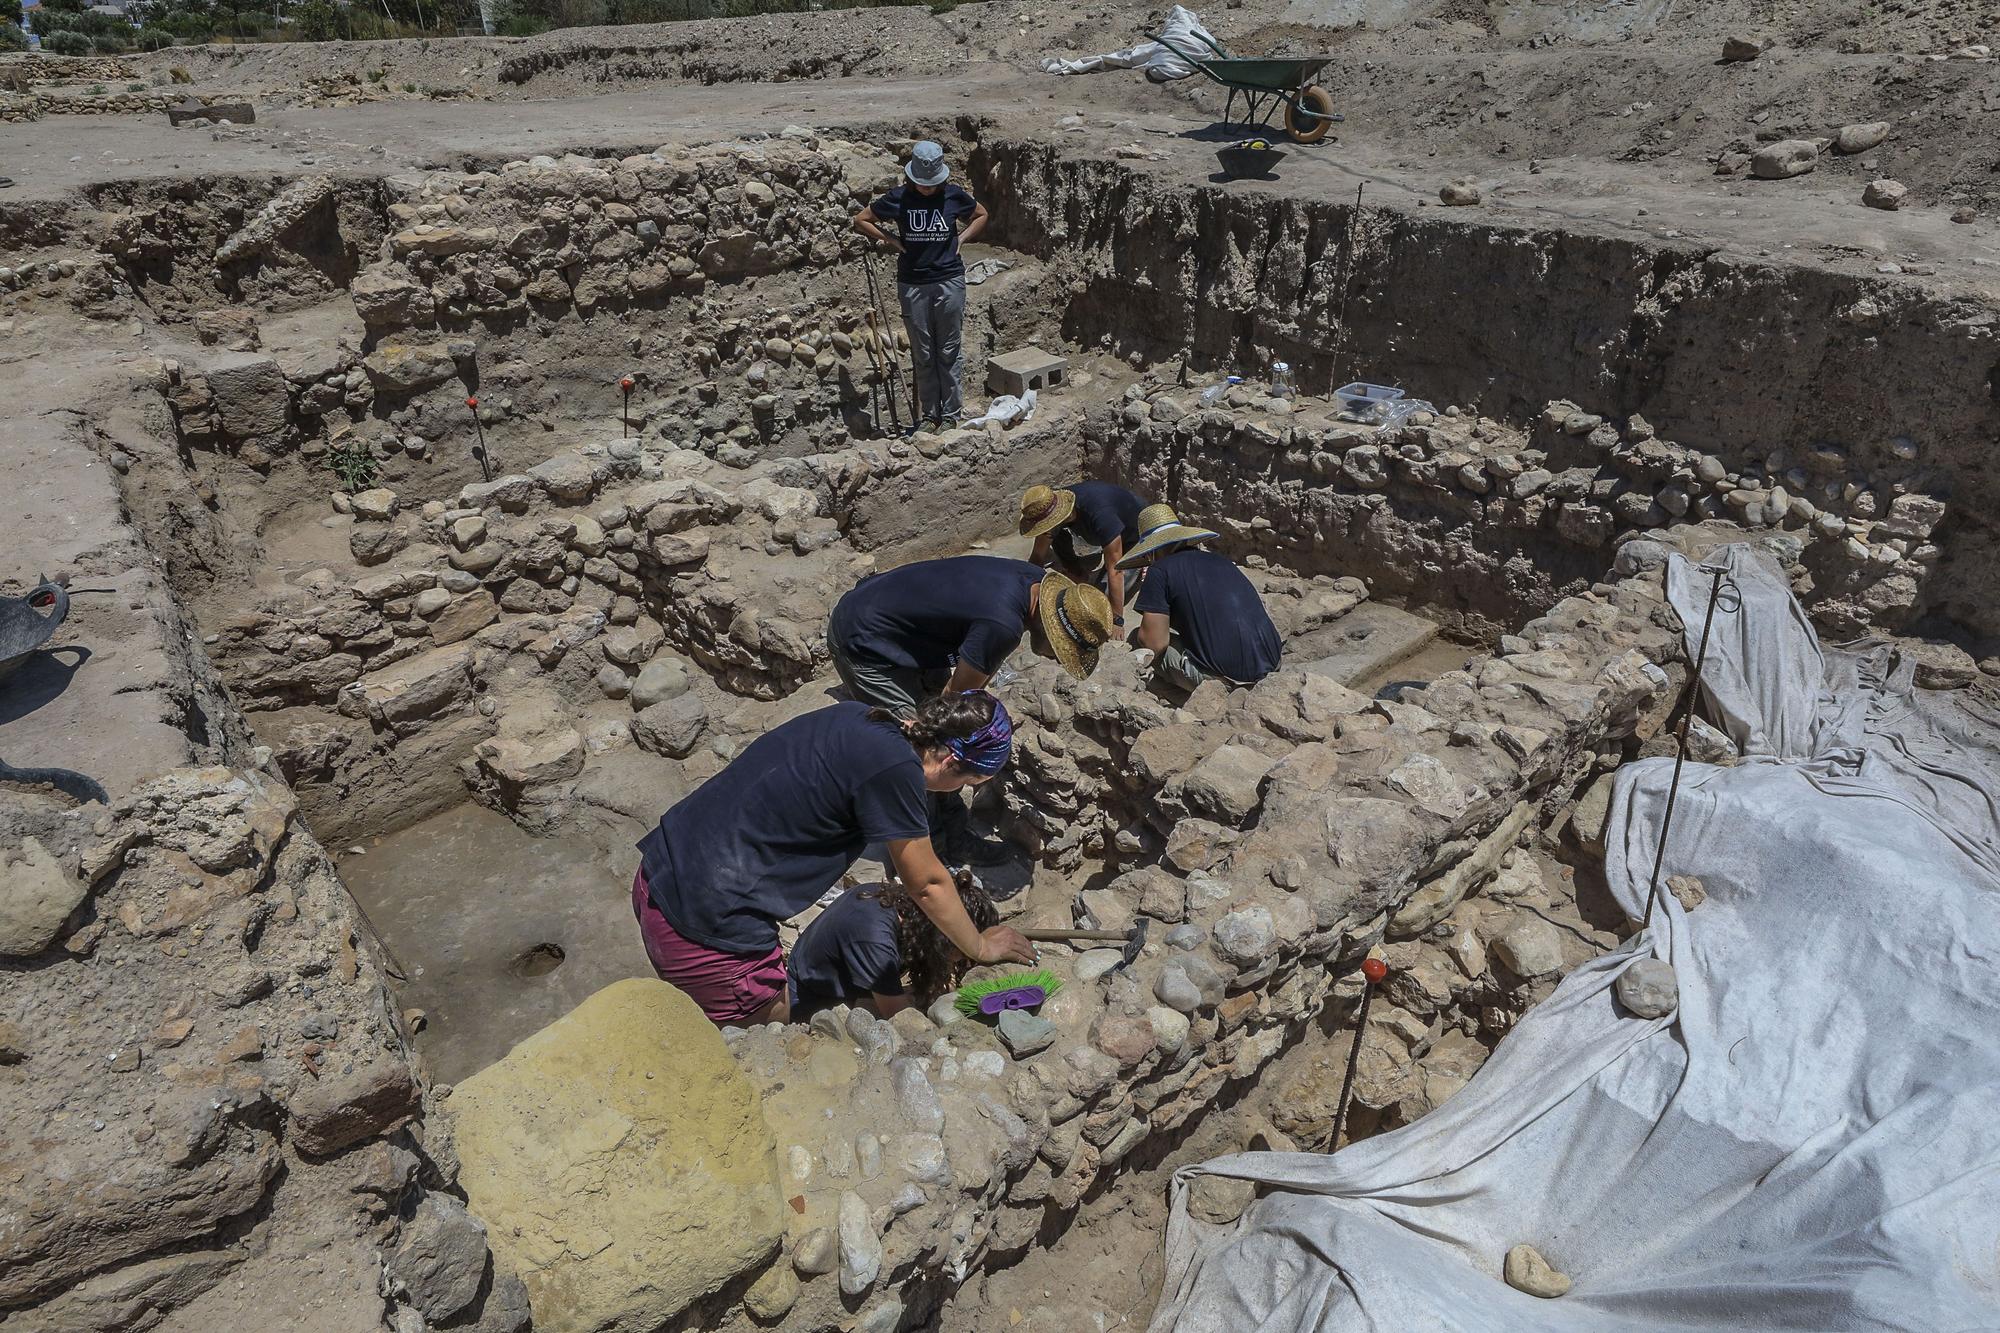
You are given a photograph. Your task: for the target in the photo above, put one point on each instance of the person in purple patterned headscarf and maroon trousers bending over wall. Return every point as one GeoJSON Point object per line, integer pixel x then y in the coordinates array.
{"type": "Point", "coordinates": [779, 828]}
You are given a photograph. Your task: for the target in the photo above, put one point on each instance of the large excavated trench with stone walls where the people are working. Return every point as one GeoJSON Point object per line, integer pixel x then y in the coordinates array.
{"type": "Point", "coordinates": [485, 692]}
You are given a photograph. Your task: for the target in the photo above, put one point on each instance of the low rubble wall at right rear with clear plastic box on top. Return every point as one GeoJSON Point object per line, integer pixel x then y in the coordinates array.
{"type": "Point", "coordinates": [1489, 523]}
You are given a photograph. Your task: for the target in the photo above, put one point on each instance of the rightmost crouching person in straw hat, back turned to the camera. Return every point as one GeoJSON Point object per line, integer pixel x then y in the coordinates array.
{"type": "Point", "coordinates": [1199, 613]}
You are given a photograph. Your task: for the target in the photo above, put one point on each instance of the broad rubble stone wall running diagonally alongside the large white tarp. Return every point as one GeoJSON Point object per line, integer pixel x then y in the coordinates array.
{"type": "Point", "coordinates": [1289, 830]}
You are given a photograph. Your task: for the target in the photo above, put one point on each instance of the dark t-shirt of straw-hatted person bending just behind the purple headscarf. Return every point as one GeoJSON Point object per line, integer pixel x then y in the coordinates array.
{"type": "Point", "coordinates": [933, 613]}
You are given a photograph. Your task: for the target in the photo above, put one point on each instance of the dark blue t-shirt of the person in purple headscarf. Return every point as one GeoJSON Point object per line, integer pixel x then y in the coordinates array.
{"type": "Point", "coordinates": [763, 840]}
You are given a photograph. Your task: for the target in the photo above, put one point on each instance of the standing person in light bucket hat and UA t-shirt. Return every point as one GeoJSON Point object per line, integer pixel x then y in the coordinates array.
{"type": "Point", "coordinates": [931, 277]}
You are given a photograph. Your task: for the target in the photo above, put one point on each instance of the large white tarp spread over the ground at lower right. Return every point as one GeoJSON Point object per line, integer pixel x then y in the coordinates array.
{"type": "Point", "coordinates": [1809, 1144]}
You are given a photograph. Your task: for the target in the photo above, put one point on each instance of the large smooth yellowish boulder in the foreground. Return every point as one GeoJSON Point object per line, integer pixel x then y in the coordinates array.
{"type": "Point", "coordinates": [569, 1136]}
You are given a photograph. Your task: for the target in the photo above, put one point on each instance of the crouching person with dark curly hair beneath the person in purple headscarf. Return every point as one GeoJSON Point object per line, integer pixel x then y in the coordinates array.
{"type": "Point", "coordinates": [879, 950]}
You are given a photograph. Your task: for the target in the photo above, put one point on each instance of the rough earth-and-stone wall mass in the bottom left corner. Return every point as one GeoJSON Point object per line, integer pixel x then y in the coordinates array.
{"type": "Point", "coordinates": [207, 1080]}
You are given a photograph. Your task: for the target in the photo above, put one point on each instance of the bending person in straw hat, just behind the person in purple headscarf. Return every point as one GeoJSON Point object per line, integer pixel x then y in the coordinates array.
{"type": "Point", "coordinates": [949, 625]}
